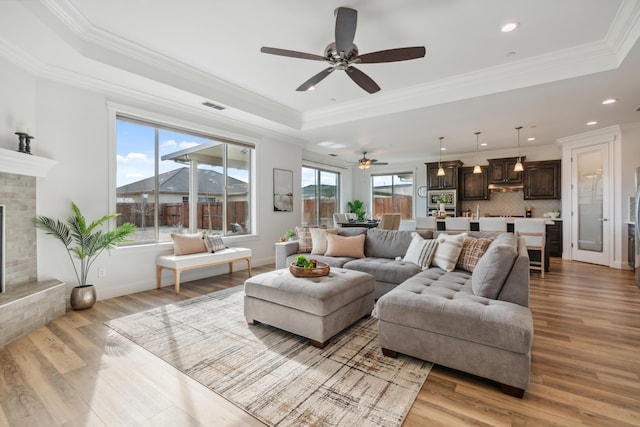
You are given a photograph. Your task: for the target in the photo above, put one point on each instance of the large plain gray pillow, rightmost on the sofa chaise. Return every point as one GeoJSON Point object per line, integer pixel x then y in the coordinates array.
{"type": "Point", "coordinates": [492, 270]}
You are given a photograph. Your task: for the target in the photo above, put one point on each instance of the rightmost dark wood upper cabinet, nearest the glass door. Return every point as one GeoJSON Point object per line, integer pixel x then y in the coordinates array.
{"type": "Point", "coordinates": [542, 180]}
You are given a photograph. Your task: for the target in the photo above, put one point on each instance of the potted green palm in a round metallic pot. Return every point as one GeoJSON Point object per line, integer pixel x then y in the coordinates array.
{"type": "Point", "coordinates": [84, 243]}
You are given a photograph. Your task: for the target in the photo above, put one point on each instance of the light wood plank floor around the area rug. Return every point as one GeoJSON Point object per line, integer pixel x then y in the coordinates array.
{"type": "Point", "coordinates": [585, 366]}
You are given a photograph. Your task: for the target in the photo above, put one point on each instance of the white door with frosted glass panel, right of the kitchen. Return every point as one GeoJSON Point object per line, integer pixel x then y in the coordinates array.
{"type": "Point", "coordinates": [591, 222]}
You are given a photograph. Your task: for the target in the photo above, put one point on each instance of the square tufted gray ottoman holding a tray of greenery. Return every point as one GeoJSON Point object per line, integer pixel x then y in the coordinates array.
{"type": "Point", "coordinates": [316, 308]}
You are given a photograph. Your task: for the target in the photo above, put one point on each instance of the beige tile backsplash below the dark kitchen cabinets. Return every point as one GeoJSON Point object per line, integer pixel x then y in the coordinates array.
{"type": "Point", "coordinates": [510, 204]}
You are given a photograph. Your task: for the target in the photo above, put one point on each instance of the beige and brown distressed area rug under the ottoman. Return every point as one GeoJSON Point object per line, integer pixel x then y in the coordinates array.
{"type": "Point", "coordinates": [276, 376]}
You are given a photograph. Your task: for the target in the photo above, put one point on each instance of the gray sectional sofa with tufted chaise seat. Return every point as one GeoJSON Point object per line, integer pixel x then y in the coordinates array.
{"type": "Point", "coordinates": [477, 322]}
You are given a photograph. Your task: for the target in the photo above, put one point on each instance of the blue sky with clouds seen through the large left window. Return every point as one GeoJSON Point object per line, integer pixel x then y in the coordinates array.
{"type": "Point", "coordinates": [135, 152]}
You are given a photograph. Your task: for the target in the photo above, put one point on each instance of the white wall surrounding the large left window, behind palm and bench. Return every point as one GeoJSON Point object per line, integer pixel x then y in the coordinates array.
{"type": "Point", "coordinates": [73, 128]}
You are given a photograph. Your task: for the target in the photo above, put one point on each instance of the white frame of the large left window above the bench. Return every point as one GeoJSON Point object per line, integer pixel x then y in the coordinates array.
{"type": "Point", "coordinates": [169, 123]}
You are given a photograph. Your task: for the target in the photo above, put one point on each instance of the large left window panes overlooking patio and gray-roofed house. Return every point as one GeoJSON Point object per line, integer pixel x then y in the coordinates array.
{"type": "Point", "coordinates": [170, 180]}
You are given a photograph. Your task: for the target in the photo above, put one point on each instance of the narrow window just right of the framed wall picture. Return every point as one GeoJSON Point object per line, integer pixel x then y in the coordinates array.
{"type": "Point", "coordinates": [320, 190]}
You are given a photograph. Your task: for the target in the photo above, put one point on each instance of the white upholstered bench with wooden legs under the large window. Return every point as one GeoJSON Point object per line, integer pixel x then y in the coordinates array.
{"type": "Point", "coordinates": [180, 263]}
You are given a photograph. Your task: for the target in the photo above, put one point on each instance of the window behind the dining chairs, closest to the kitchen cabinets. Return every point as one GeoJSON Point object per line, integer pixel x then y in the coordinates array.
{"type": "Point", "coordinates": [392, 194]}
